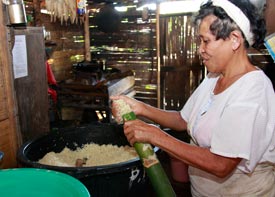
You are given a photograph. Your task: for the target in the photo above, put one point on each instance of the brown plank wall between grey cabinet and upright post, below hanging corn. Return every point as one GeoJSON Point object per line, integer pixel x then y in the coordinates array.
{"type": "Point", "coordinates": [64, 42]}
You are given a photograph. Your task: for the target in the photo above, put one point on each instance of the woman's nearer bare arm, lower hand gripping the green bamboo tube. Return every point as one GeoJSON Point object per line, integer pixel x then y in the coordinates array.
{"type": "Point", "coordinates": [202, 158]}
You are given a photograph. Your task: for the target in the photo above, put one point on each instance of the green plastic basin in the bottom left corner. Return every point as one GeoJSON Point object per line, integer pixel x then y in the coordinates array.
{"type": "Point", "coordinates": [32, 182]}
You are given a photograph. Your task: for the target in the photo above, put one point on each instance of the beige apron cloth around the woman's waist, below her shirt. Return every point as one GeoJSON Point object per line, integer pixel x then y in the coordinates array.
{"type": "Point", "coordinates": [259, 183]}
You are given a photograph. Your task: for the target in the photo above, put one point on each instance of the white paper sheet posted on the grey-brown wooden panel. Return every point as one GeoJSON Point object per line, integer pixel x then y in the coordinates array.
{"type": "Point", "coordinates": [20, 60]}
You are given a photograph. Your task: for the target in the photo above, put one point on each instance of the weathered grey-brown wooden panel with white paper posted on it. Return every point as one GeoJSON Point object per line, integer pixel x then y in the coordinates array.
{"type": "Point", "coordinates": [31, 91]}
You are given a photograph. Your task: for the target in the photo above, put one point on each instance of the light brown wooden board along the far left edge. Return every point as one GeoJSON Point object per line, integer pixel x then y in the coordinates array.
{"type": "Point", "coordinates": [10, 138]}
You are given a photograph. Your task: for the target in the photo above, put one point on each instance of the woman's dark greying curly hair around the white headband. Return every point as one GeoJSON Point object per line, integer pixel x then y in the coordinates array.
{"type": "Point", "coordinates": [224, 25]}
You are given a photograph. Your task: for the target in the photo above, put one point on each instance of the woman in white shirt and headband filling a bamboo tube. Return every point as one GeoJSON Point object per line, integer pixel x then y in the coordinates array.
{"type": "Point", "coordinates": [230, 116]}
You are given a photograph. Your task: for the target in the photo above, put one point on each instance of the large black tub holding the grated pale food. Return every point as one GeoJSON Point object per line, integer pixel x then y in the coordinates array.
{"type": "Point", "coordinates": [116, 180]}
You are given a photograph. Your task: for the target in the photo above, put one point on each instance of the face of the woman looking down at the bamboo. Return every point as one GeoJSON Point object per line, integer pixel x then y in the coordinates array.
{"type": "Point", "coordinates": [214, 53]}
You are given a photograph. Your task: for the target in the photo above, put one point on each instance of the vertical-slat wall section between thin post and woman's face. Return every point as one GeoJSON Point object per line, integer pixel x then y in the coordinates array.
{"type": "Point", "coordinates": [181, 70]}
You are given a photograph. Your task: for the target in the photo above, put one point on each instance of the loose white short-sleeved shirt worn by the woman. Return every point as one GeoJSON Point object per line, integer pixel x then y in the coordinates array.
{"type": "Point", "coordinates": [239, 122]}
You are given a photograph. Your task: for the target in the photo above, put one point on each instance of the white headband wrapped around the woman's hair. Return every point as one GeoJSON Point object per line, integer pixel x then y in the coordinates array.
{"type": "Point", "coordinates": [238, 16]}
